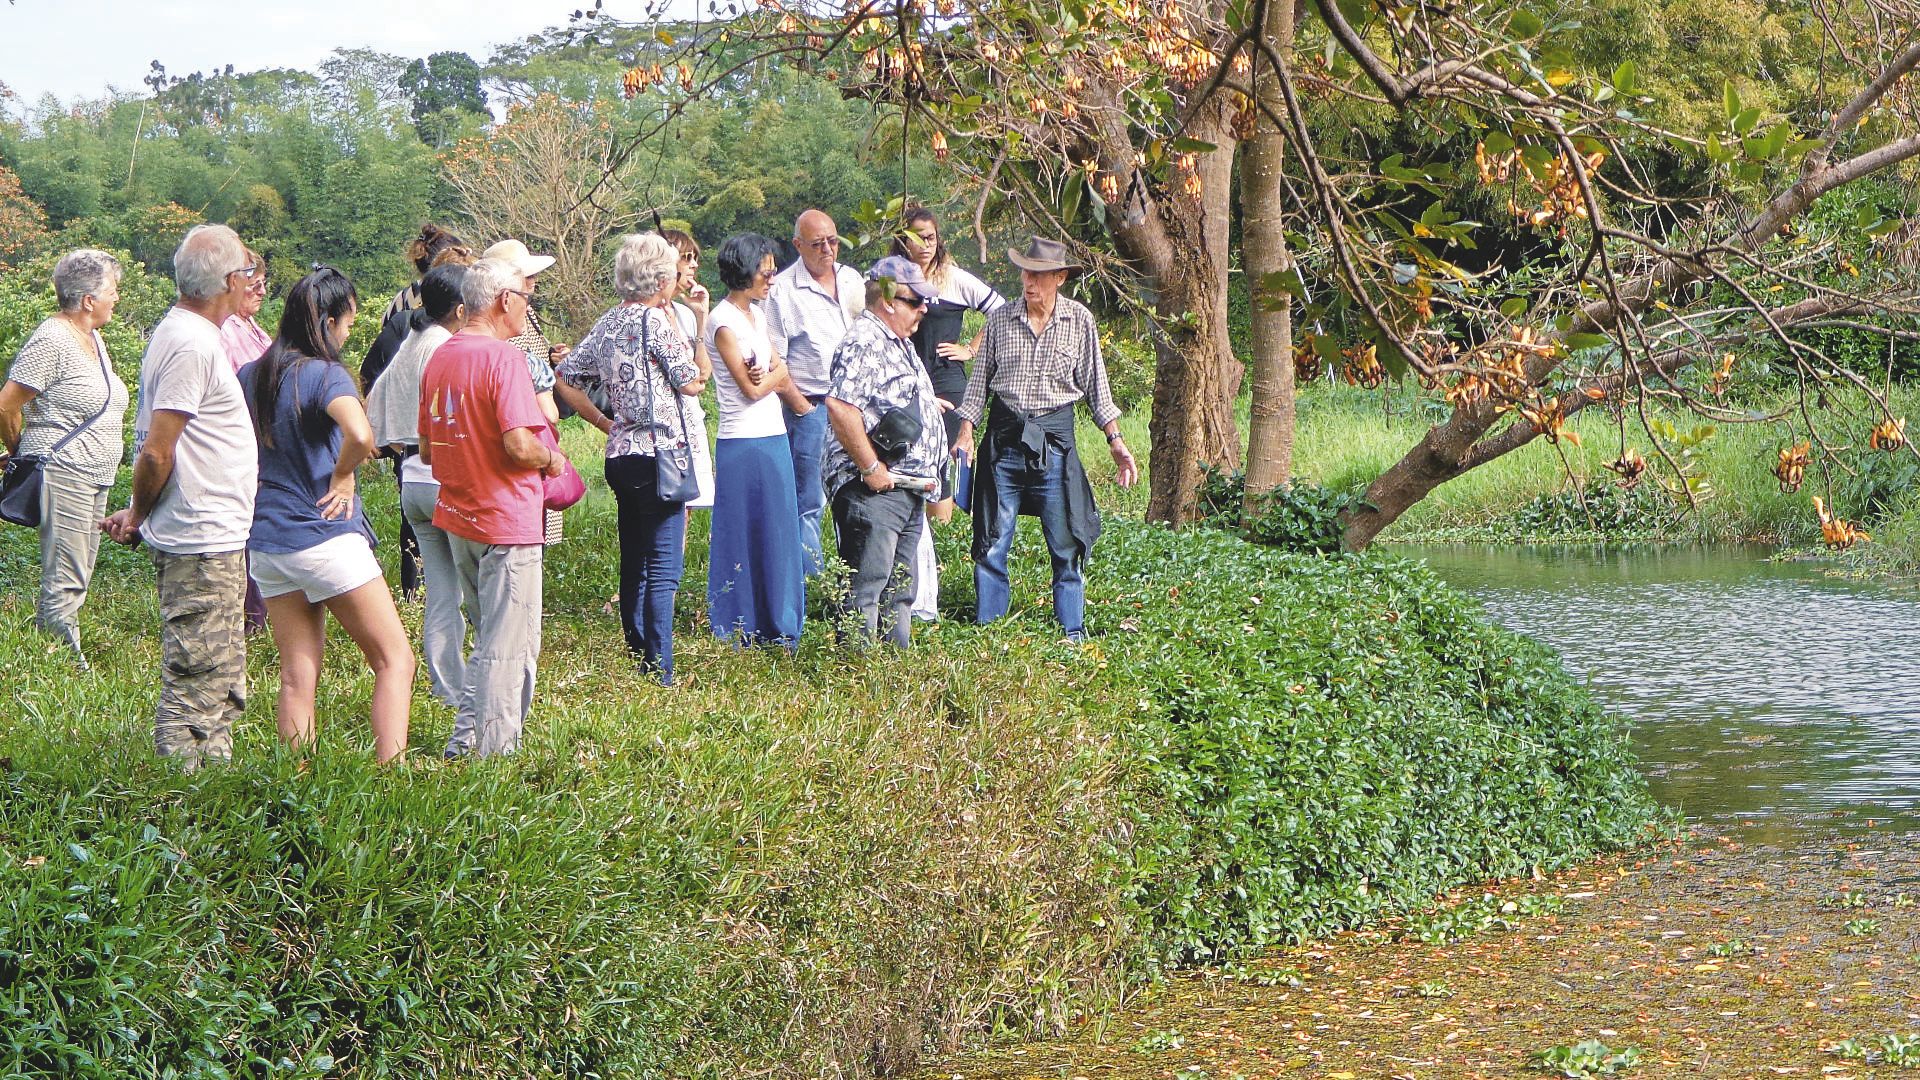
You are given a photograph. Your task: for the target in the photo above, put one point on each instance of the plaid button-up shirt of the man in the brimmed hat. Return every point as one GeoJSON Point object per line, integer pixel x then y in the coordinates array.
{"type": "Point", "coordinates": [1038, 374]}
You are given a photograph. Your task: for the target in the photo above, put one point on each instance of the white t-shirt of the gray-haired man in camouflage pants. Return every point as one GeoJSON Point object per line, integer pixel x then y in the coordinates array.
{"type": "Point", "coordinates": [208, 503]}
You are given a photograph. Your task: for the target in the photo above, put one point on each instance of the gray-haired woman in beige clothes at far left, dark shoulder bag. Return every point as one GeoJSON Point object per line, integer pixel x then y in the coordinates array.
{"type": "Point", "coordinates": [64, 403]}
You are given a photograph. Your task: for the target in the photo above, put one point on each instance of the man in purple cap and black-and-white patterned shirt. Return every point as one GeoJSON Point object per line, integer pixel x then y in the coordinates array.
{"type": "Point", "coordinates": [888, 447]}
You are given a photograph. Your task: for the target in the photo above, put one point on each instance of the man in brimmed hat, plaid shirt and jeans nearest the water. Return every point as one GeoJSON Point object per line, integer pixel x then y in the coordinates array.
{"type": "Point", "coordinates": [1040, 358]}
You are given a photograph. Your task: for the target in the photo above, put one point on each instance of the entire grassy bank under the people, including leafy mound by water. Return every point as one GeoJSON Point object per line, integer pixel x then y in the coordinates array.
{"type": "Point", "coordinates": [815, 866]}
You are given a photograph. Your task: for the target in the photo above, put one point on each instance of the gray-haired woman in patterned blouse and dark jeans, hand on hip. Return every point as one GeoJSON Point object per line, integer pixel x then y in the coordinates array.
{"type": "Point", "coordinates": [648, 368]}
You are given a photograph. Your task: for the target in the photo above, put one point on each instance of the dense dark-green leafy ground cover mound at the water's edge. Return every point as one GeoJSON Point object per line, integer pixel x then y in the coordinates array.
{"type": "Point", "coordinates": [1378, 743]}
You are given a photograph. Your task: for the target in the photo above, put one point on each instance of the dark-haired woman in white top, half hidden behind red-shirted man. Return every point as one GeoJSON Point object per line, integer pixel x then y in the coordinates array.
{"type": "Point", "coordinates": [395, 408]}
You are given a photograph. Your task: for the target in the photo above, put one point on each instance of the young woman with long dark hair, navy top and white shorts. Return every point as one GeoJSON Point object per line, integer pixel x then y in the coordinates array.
{"type": "Point", "coordinates": [310, 547]}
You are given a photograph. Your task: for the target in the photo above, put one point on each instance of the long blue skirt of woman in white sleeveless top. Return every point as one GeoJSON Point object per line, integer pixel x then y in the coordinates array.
{"type": "Point", "coordinates": [756, 583]}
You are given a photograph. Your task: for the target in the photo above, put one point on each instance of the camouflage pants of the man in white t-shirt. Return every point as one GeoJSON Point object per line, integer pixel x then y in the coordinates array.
{"type": "Point", "coordinates": [203, 656]}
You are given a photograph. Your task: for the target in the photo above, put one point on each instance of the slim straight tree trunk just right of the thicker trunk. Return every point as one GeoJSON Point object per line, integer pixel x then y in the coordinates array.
{"type": "Point", "coordinates": [1270, 443]}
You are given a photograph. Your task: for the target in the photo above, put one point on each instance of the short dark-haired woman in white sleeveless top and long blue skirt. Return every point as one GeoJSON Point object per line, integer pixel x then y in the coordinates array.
{"type": "Point", "coordinates": [756, 583]}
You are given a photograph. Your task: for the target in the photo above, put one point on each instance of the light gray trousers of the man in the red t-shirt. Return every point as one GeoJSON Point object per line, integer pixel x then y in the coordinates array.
{"type": "Point", "coordinates": [500, 585]}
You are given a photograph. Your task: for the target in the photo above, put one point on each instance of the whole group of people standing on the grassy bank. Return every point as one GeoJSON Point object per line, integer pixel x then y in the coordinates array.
{"type": "Point", "coordinates": [840, 391]}
